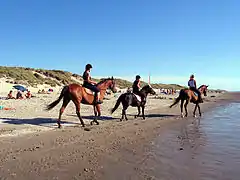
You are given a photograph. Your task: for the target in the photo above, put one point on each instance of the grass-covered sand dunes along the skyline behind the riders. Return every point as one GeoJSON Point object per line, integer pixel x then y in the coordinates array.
{"type": "Point", "coordinates": [30, 76]}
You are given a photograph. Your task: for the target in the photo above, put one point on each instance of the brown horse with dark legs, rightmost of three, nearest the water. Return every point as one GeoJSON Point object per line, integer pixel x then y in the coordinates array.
{"type": "Point", "coordinates": [189, 96]}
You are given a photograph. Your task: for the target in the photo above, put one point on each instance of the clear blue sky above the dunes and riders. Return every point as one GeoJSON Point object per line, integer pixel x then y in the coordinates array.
{"type": "Point", "coordinates": [122, 38]}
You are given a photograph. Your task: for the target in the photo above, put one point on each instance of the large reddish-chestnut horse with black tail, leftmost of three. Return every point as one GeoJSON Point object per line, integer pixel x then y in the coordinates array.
{"type": "Point", "coordinates": [78, 95]}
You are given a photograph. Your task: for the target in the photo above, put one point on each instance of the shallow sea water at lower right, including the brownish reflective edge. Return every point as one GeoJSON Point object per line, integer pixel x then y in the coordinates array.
{"type": "Point", "coordinates": [207, 149]}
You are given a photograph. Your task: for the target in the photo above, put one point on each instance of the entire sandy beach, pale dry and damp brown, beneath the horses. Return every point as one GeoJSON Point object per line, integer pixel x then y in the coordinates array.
{"type": "Point", "coordinates": [33, 148]}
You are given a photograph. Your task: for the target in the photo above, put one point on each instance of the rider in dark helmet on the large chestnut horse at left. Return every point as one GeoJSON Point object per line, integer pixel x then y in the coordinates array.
{"type": "Point", "coordinates": [88, 83]}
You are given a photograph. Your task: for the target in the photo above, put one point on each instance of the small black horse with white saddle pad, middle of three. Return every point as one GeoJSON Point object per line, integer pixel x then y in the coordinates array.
{"type": "Point", "coordinates": [130, 99]}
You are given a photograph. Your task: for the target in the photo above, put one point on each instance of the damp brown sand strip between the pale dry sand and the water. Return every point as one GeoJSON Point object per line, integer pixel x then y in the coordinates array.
{"type": "Point", "coordinates": [105, 152]}
